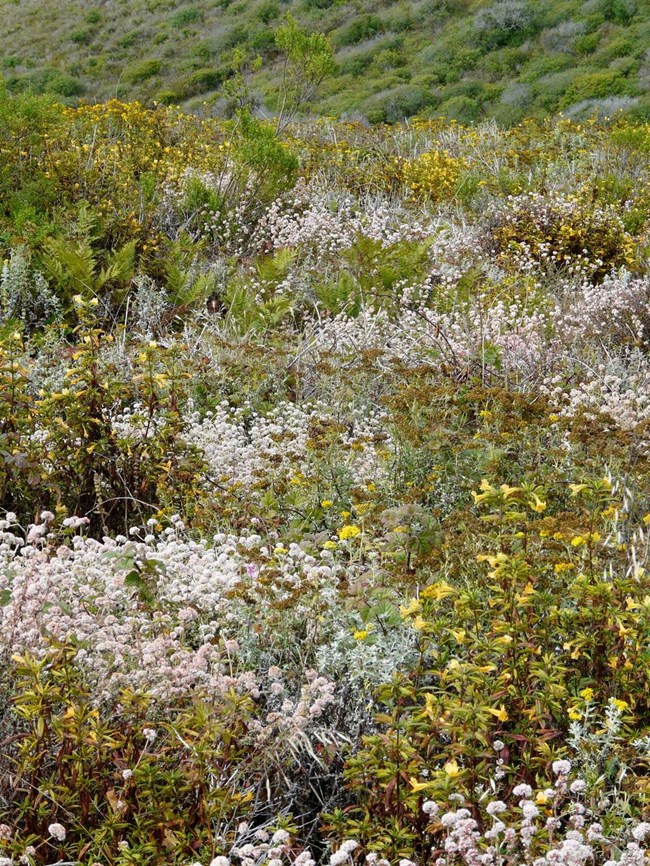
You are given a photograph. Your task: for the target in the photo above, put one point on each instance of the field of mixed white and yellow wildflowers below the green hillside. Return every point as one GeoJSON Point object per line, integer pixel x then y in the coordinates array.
{"type": "Point", "coordinates": [324, 490]}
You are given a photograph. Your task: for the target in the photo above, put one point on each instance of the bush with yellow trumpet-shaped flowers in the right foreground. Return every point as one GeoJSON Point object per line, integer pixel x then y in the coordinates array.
{"type": "Point", "coordinates": [511, 649]}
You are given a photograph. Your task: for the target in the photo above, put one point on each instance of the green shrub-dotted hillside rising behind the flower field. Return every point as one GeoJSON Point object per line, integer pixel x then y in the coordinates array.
{"type": "Point", "coordinates": [465, 59]}
